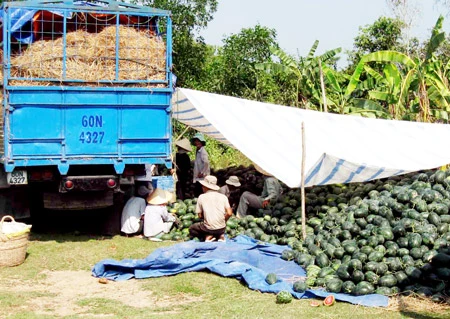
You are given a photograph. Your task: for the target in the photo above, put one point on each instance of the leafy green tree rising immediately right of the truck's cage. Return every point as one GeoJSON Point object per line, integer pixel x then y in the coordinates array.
{"type": "Point", "coordinates": [189, 49]}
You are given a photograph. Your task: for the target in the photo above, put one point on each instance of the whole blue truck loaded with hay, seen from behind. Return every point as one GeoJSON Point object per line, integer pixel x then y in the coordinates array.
{"type": "Point", "coordinates": [86, 102]}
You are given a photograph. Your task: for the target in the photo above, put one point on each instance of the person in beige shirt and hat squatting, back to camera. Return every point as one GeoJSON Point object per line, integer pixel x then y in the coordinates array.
{"type": "Point", "coordinates": [214, 209]}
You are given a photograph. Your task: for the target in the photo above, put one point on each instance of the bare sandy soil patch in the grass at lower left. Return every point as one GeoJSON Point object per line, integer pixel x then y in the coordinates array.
{"type": "Point", "coordinates": [61, 290]}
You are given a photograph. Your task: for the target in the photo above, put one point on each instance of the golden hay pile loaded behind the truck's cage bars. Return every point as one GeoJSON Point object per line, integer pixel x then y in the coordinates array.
{"type": "Point", "coordinates": [92, 57]}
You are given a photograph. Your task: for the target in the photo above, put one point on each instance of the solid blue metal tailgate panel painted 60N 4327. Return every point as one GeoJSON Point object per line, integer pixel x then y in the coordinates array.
{"type": "Point", "coordinates": [116, 127]}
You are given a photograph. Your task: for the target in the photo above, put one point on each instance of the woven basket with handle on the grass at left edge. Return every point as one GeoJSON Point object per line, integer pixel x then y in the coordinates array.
{"type": "Point", "coordinates": [12, 249]}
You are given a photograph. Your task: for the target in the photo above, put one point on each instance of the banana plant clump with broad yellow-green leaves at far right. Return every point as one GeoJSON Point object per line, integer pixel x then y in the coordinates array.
{"type": "Point", "coordinates": [412, 89]}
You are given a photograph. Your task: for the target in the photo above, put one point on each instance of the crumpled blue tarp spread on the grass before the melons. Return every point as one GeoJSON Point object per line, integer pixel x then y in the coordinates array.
{"type": "Point", "coordinates": [242, 257]}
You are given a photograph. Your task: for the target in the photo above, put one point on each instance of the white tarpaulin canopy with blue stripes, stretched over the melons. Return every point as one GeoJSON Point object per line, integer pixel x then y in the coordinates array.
{"type": "Point", "coordinates": [339, 148]}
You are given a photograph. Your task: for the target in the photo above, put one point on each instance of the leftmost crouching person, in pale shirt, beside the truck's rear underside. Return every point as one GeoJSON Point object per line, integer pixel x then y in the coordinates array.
{"type": "Point", "coordinates": [133, 213]}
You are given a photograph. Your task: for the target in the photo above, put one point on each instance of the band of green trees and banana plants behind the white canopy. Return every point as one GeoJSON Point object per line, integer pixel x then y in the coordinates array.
{"type": "Point", "coordinates": [390, 75]}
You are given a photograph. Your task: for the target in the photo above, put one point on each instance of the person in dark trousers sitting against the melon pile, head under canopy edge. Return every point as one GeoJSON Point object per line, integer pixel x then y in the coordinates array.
{"type": "Point", "coordinates": [271, 192]}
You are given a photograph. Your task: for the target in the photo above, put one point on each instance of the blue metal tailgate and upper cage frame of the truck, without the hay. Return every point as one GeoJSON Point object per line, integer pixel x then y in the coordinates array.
{"type": "Point", "coordinates": [79, 124]}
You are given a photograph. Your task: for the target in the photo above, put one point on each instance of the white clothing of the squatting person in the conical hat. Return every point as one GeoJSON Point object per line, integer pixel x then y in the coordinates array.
{"type": "Point", "coordinates": [157, 219]}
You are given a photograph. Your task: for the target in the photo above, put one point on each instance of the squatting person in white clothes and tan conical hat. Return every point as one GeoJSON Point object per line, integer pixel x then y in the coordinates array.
{"type": "Point", "coordinates": [157, 220]}
